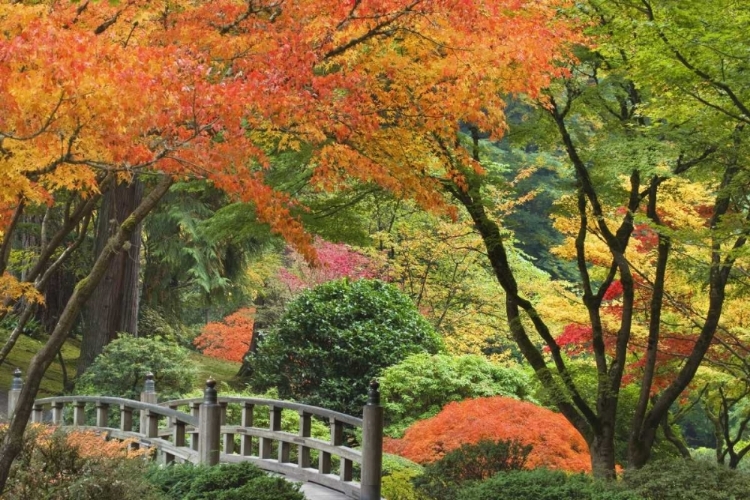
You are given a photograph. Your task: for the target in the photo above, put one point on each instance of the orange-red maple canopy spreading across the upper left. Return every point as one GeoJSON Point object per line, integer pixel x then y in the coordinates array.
{"type": "Point", "coordinates": [210, 89]}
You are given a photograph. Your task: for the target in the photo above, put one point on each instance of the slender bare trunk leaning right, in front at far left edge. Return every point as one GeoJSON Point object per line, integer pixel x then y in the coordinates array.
{"type": "Point", "coordinates": [13, 440]}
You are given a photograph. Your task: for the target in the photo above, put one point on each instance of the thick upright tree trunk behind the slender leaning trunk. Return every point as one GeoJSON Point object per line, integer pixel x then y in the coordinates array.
{"type": "Point", "coordinates": [114, 306]}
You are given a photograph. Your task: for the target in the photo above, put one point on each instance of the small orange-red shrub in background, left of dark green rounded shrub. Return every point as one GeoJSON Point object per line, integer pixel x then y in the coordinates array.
{"type": "Point", "coordinates": [230, 338]}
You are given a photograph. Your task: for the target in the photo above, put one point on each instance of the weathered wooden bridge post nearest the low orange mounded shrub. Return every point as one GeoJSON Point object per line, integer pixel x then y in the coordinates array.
{"type": "Point", "coordinates": [372, 444]}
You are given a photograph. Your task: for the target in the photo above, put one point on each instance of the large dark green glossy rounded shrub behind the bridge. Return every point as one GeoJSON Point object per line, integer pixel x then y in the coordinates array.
{"type": "Point", "coordinates": [333, 339]}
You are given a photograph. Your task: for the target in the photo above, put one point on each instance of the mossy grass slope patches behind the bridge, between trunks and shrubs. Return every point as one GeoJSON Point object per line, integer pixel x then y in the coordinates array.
{"type": "Point", "coordinates": [26, 347]}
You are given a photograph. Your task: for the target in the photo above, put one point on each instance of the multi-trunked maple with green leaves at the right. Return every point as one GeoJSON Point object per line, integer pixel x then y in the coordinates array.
{"type": "Point", "coordinates": [633, 147]}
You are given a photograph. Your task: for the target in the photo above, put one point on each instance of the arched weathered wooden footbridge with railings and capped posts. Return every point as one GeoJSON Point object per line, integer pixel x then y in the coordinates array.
{"type": "Point", "coordinates": [197, 431]}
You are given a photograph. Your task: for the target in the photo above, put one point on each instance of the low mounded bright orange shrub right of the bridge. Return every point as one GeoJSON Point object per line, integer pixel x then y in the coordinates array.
{"type": "Point", "coordinates": [556, 444]}
